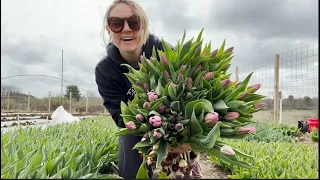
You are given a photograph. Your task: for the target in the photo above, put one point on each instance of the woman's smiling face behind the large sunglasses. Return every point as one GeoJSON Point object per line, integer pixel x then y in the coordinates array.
{"type": "Point", "coordinates": [127, 40]}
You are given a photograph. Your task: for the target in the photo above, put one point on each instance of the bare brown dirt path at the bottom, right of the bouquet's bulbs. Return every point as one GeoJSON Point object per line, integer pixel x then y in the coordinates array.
{"type": "Point", "coordinates": [210, 170]}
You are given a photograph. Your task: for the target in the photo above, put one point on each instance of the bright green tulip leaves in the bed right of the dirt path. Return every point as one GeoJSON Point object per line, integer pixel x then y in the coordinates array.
{"type": "Point", "coordinates": [274, 160]}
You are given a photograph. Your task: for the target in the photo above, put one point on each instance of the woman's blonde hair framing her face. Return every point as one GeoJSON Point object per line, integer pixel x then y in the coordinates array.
{"type": "Point", "coordinates": [144, 23]}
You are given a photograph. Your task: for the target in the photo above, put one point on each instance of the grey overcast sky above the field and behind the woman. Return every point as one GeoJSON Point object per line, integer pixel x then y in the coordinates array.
{"type": "Point", "coordinates": [34, 32]}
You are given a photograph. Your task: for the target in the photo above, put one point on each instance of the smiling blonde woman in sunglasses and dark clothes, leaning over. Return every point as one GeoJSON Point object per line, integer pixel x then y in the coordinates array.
{"type": "Point", "coordinates": [127, 26]}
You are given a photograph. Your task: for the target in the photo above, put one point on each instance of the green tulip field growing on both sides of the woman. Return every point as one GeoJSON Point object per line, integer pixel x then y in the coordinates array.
{"type": "Point", "coordinates": [87, 149]}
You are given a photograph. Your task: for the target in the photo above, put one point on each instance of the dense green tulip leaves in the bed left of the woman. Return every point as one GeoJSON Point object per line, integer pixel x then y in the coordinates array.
{"type": "Point", "coordinates": [78, 150]}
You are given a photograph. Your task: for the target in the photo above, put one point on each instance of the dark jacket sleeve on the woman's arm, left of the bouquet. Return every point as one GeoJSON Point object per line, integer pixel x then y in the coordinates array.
{"type": "Point", "coordinates": [112, 95]}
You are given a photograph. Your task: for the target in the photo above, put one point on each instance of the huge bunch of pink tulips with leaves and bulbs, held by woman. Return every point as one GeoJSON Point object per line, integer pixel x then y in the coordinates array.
{"type": "Point", "coordinates": [187, 98]}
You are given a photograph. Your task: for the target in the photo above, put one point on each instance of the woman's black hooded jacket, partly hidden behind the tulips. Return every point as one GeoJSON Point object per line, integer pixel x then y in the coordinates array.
{"type": "Point", "coordinates": [113, 85]}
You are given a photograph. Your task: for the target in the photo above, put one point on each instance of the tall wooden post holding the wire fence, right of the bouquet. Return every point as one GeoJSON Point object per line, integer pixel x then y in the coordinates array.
{"type": "Point", "coordinates": [276, 89]}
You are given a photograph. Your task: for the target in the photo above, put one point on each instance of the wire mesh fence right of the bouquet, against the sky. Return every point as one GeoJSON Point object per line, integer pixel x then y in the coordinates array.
{"type": "Point", "coordinates": [297, 82]}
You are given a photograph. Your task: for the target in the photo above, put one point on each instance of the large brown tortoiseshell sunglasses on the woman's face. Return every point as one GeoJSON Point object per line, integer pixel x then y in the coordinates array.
{"type": "Point", "coordinates": [116, 24]}
